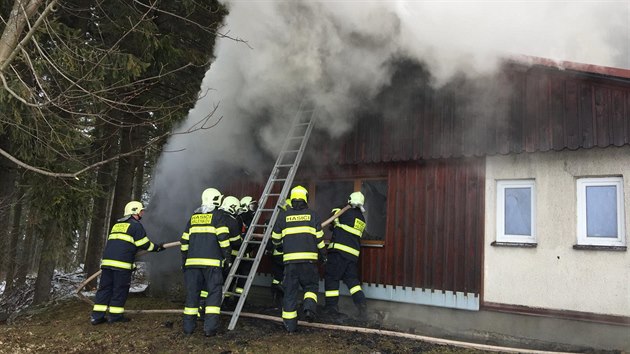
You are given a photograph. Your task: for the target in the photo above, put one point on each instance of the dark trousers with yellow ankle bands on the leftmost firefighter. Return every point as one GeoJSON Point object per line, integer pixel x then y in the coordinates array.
{"type": "Point", "coordinates": [112, 293]}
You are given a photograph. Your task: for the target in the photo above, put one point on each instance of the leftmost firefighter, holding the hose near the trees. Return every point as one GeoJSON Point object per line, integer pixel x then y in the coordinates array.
{"type": "Point", "coordinates": [127, 236]}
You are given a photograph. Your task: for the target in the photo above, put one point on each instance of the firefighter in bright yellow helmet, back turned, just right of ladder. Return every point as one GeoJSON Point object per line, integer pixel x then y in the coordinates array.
{"type": "Point", "coordinates": [300, 234]}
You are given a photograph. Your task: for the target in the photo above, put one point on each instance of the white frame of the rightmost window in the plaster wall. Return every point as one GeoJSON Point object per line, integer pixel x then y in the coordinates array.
{"type": "Point", "coordinates": [582, 236]}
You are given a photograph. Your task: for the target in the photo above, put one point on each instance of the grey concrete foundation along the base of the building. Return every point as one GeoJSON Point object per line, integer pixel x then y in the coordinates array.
{"type": "Point", "coordinates": [486, 327]}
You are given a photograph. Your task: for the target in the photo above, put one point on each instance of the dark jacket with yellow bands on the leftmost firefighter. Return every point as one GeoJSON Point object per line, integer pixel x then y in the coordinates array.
{"type": "Point", "coordinates": [127, 236]}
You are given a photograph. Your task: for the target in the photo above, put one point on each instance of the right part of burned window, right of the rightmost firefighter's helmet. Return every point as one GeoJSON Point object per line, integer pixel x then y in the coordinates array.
{"type": "Point", "coordinates": [375, 192]}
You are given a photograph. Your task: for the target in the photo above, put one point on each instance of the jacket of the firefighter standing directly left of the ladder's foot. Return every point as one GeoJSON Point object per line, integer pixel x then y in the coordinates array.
{"type": "Point", "coordinates": [205, 242]}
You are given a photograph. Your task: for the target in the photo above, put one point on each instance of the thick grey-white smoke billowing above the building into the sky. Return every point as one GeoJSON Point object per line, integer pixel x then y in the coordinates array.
{"type": "Point", "coordinates": [338, 55]}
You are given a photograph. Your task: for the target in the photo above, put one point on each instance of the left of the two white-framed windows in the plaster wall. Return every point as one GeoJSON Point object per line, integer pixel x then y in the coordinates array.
{"type": "Point", "coordinates": [516, 217]}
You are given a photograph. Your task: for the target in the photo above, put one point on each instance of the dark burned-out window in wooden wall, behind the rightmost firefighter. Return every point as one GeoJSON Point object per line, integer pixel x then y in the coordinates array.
{"type": "Point", "coordinates": [333, 194]}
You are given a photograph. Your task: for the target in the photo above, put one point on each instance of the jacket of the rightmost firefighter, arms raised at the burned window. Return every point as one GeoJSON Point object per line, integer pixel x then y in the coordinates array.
{"type": "Point", "coordinates": [347, 231]}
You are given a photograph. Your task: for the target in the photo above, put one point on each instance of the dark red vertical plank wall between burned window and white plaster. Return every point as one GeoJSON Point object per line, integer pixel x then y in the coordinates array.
{"type": "Point", "coordinates": [434, 235]}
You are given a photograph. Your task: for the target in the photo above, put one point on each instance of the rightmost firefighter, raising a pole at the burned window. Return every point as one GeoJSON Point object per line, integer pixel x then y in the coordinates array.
{"type": "Point", "coordinates": [343, 256]}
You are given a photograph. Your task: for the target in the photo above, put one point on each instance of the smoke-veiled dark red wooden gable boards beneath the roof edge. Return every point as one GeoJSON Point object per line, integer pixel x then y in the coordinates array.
{"type": "Point", "coordinates": [547, 109]}
